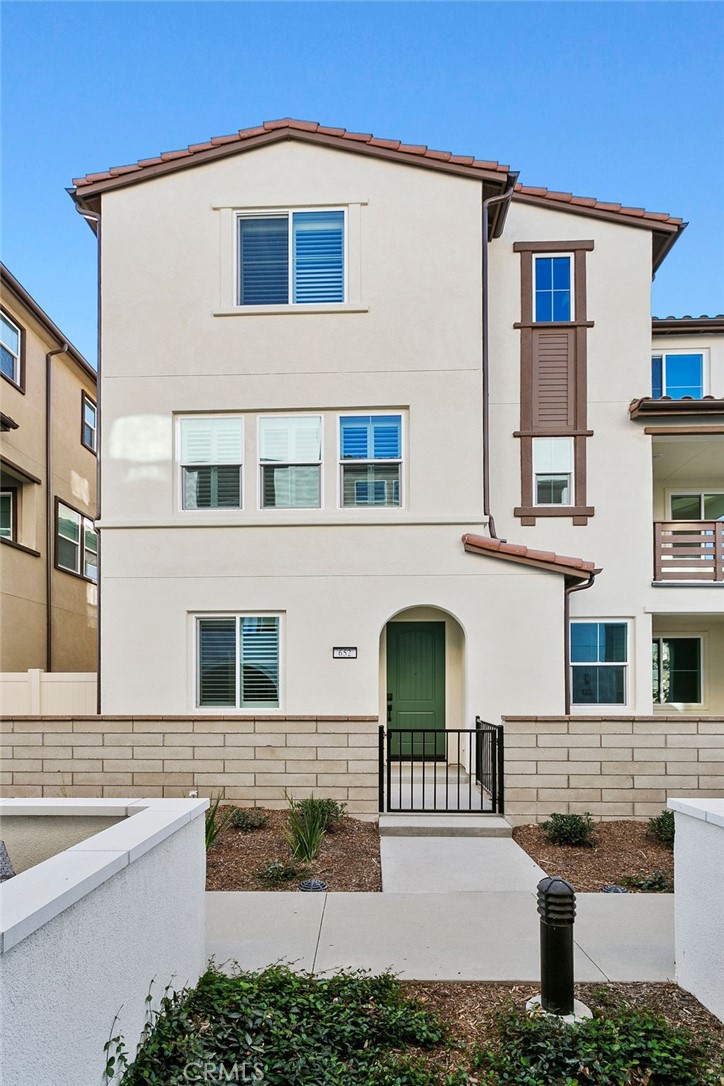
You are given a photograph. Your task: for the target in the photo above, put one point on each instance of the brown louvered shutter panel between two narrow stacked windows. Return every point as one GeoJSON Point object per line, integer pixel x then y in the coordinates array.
{"type": "Point", "coordinates": [554, 380]}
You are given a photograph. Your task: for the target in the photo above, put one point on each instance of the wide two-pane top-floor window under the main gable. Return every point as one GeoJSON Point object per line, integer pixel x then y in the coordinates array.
{"type": "Point", "coordinates": [296, 257]}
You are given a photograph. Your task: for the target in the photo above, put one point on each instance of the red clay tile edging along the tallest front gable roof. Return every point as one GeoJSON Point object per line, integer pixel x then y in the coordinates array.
{"type": "Point", "coordinates": [301, 129]}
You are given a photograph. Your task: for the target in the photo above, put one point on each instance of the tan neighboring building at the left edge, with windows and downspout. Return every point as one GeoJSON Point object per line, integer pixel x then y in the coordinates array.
{"type": "Point", "coordinates": [48, 459]}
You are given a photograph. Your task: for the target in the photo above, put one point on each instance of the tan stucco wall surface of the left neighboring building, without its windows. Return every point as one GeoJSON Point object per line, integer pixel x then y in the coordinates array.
{"type": "Point", "coordinates": [24, 605]}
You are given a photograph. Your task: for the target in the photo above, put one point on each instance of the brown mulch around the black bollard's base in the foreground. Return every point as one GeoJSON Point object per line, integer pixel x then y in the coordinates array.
{"type": "Point", "coordinates": [471, 1009]}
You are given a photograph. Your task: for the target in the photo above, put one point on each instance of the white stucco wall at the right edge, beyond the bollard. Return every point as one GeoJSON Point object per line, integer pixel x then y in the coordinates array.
{"type": "Point", "coordinates": [700, 900]}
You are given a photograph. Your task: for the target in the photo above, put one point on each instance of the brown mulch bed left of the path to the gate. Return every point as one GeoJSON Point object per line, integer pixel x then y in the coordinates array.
{"type": "Point", "coordinates": [349, 858]}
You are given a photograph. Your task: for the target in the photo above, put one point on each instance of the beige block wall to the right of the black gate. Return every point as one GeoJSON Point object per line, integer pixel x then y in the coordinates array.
{"type": "Point", "coordinates": [614, 767]}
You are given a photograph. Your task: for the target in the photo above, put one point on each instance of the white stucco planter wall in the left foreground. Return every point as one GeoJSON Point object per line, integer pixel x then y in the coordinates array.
{"type": "Point", "coordinates": [86, 932]}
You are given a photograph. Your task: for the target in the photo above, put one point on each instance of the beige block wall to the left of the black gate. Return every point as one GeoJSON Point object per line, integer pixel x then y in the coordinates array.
{"type": "Point", "coordinates": [252, 759]}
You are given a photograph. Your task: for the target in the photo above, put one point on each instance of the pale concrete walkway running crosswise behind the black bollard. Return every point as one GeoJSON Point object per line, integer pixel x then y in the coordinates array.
{"type": "Point", "coordinates": [454, 937]}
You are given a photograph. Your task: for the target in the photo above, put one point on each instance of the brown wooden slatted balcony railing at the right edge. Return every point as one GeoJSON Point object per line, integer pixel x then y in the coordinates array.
{"type": "Point", "coordinates": [689, 551]}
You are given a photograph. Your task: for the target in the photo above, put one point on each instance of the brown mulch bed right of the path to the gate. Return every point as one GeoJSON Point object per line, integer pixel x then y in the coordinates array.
{"type": "Point", "coordinates": [623, 849]}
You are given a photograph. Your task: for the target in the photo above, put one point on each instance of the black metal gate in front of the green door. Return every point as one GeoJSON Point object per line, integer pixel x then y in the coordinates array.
{"type": "Point", "coordinates": [459, 769]}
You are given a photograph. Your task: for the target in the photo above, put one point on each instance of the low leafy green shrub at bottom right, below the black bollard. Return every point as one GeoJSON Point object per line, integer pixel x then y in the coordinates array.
{"type": "Point", "coordinates": [627, 1047]}
